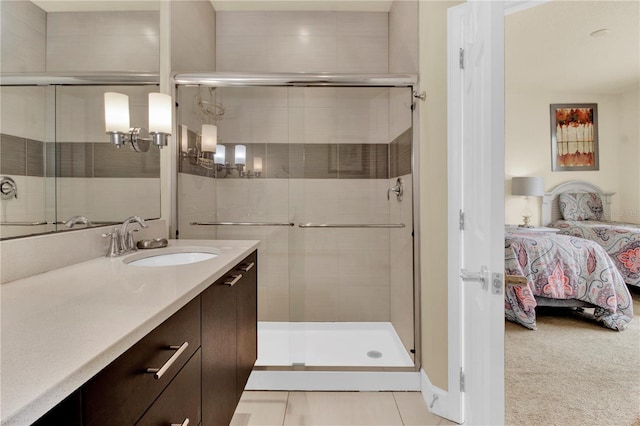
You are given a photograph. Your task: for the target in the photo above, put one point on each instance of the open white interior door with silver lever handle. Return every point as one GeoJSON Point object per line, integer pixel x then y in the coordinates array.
{"type": "Point", "coordinates": [476, 194]}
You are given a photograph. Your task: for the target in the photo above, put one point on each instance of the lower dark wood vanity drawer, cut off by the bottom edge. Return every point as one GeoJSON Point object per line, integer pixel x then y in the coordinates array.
{"type": "Point", "coordinates": [180, 401]}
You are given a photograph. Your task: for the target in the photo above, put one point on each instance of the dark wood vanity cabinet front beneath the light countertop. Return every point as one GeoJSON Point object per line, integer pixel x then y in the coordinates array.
{"type": "Point", "coordinates": [204, 354]}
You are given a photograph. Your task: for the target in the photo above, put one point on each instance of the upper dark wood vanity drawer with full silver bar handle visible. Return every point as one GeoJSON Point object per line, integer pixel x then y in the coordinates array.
{"type": "Point", "coordinates": [122, 392]}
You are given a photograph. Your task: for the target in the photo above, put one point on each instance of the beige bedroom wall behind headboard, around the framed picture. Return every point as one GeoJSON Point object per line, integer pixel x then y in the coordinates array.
{"type": "Point", "coordinates": [528, 149]}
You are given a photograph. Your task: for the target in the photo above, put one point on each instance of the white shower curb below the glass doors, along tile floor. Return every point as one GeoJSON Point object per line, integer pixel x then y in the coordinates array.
{"type": "Point", "coordinates": [333, 381]}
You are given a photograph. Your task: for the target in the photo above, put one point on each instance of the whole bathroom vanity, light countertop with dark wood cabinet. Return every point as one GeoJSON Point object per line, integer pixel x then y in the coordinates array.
{"type": "Point", "coordinates": [109, 342]}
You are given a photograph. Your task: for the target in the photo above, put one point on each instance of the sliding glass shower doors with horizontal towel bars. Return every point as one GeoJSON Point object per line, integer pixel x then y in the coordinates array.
{"type": "Point", "coordinates": [307, 171]}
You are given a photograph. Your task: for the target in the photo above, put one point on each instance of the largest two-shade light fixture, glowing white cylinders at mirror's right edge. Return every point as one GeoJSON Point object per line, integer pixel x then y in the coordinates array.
{"type": "Point", "coordinates": [116, 119]}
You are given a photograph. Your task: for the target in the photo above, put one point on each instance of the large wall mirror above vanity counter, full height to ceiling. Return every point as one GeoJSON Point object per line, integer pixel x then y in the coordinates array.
{"type": "Point", "coordinates": [57, 59]}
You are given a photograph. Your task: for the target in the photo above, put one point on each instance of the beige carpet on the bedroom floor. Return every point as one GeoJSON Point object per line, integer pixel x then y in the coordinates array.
{"type": "Point", "coordinates": [573, 372]}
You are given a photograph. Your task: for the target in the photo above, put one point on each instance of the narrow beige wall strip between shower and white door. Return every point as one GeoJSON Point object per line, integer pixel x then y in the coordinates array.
{"type": "Point", "coordinates": [433, 189]}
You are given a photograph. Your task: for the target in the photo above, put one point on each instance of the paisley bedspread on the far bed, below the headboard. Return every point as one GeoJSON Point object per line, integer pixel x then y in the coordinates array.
{"type": "Point", "coordinates": [620, 240]}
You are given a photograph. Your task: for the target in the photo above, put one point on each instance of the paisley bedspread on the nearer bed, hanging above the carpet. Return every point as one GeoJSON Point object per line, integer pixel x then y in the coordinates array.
{"type": "Point", "coordinates": [563, 267]}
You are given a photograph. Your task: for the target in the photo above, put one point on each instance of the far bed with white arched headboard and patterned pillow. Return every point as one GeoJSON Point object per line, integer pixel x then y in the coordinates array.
{"type": "Point", "coordinates": [581, 209]}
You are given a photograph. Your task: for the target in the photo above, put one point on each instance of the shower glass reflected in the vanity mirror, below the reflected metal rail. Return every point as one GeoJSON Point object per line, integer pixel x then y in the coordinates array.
{"type": "Point", "coordinates": [57, 162]}
